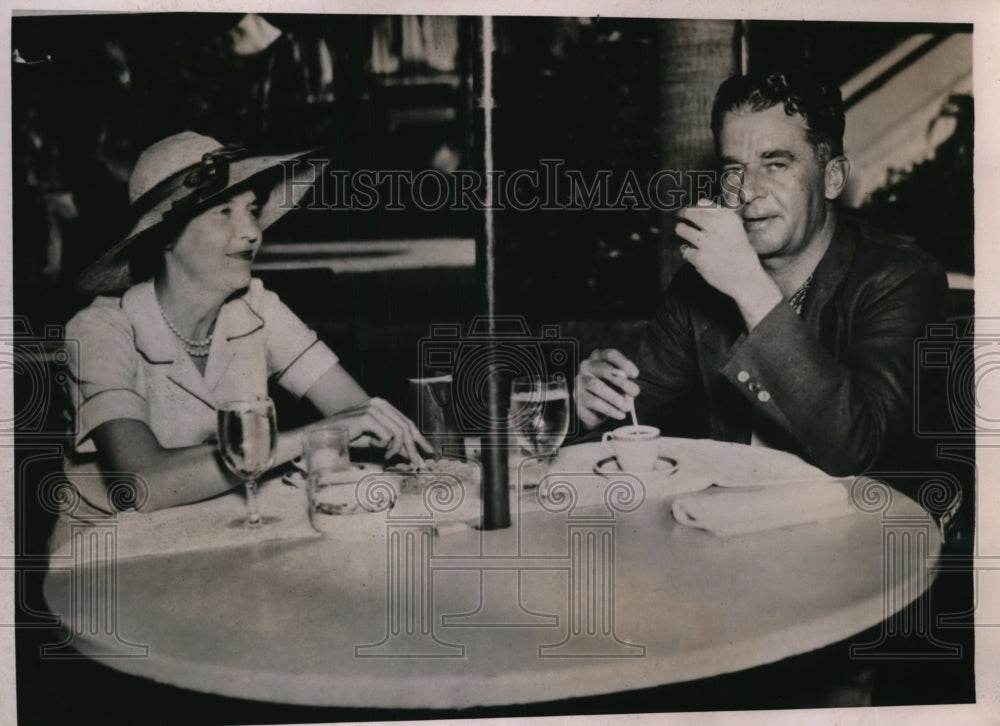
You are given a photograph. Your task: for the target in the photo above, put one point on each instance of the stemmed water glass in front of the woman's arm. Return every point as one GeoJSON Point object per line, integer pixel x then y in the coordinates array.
{"type": "Point", "coordinates": [248, 436]}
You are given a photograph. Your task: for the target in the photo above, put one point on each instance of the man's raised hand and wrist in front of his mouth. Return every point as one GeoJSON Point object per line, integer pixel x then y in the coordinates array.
{"type": "Point", "coordinates": [718, 248]}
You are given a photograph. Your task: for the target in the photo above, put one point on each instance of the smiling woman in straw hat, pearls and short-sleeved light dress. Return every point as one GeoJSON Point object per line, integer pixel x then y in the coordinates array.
{"type": "Point", "coordinates": [193, 329]}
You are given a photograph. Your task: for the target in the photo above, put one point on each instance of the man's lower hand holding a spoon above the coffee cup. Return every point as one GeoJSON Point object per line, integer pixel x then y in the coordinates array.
{"type": "Point", "coordinates": [604, 387]}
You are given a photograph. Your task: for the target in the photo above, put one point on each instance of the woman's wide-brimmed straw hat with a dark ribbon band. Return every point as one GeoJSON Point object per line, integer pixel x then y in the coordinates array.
{"type": "Point", "coordinates": [179, 177]}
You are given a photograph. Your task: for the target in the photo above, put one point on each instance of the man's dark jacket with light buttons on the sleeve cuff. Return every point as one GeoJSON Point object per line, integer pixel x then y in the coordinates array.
{"type": "Point", "coordinates": [834, 386]}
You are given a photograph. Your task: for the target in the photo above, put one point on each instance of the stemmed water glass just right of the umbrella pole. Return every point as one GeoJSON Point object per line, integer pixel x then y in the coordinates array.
{"type": "Point", "coordinates": [539, 415]}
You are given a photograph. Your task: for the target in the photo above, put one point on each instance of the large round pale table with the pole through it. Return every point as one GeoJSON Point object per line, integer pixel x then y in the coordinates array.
{"type": "Point", "coordinates": [600, 596]}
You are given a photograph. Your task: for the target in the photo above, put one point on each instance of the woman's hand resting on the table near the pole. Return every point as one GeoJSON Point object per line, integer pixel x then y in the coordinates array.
{"type": "Point", "coordinates": [378, 423]}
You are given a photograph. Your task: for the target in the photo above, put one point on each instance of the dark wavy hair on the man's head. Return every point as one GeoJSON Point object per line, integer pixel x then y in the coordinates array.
{"type": "Point", "coordinates": [820, 105]}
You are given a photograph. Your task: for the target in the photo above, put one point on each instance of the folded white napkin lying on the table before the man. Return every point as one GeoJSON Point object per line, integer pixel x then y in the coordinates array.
{"type": "Point", "coordinates": [727, 512]}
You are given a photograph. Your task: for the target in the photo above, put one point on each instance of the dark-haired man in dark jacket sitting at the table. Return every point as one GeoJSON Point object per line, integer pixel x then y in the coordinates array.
{"type": "Point", "coordinates": [793, 325]}
